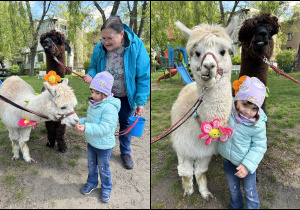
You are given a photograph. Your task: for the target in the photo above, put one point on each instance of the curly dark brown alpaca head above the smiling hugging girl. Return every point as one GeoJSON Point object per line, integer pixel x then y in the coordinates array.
{"type": "Point", "coordinates": [256, 35]}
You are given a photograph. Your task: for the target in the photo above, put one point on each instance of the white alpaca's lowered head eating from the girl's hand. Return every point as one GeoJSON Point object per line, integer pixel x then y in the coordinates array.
{"type": "Point", "coordinates": [63, 102]}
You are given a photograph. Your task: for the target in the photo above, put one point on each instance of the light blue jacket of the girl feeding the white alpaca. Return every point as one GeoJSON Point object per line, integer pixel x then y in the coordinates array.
{"type": "Point", "coordinates": [101, 123]}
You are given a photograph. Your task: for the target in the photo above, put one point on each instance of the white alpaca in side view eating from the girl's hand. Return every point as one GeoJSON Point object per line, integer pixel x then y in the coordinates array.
{"type": "Point", "coordinates": [56, 101]}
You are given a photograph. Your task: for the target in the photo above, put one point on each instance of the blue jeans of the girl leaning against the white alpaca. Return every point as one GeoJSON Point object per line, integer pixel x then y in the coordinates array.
{"type": "Point", "coordinates": [249, 185]}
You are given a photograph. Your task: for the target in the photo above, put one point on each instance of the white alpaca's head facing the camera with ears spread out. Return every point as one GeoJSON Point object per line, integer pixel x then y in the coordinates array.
{"type": "Point", "coordinates": [206, 38]}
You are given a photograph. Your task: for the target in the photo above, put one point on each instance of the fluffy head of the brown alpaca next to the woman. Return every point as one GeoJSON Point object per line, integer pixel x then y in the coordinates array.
{"type": "Point", "coordinates": [54, 43]}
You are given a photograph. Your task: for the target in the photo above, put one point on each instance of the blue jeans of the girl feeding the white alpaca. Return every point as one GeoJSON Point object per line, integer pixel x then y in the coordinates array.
{"type": "Point", "coordinates": [98, 159]}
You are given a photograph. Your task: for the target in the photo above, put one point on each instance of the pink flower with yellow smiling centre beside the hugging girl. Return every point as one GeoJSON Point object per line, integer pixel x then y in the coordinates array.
{"type": "Point", "coordinates": [213, 131]}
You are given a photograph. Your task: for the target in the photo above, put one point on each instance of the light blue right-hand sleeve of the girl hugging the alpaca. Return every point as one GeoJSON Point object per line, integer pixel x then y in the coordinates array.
{"type": "Point", "coordinates": [256, 151]}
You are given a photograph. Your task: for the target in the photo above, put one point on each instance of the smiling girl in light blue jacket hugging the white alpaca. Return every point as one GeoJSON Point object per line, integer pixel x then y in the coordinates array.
{"type": "Point", "coordinates": [244, 150]}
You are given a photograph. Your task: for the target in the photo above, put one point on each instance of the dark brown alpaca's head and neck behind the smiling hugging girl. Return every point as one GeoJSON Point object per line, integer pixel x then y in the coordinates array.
{"type": "Point", "coordinates": [255, 36]}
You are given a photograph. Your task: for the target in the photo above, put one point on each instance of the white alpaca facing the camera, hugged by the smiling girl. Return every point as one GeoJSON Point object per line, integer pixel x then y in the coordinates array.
{"type": "Point", "coordinates": [193, 155]}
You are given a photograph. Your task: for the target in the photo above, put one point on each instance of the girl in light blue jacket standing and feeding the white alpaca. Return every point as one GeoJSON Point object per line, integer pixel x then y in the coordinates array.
{"type": "Point", "coordinates": [99, 130]}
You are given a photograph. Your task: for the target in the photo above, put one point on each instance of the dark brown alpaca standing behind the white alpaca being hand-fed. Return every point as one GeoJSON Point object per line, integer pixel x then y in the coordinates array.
{"type": "Point", "coordinates": [54, 44]}
